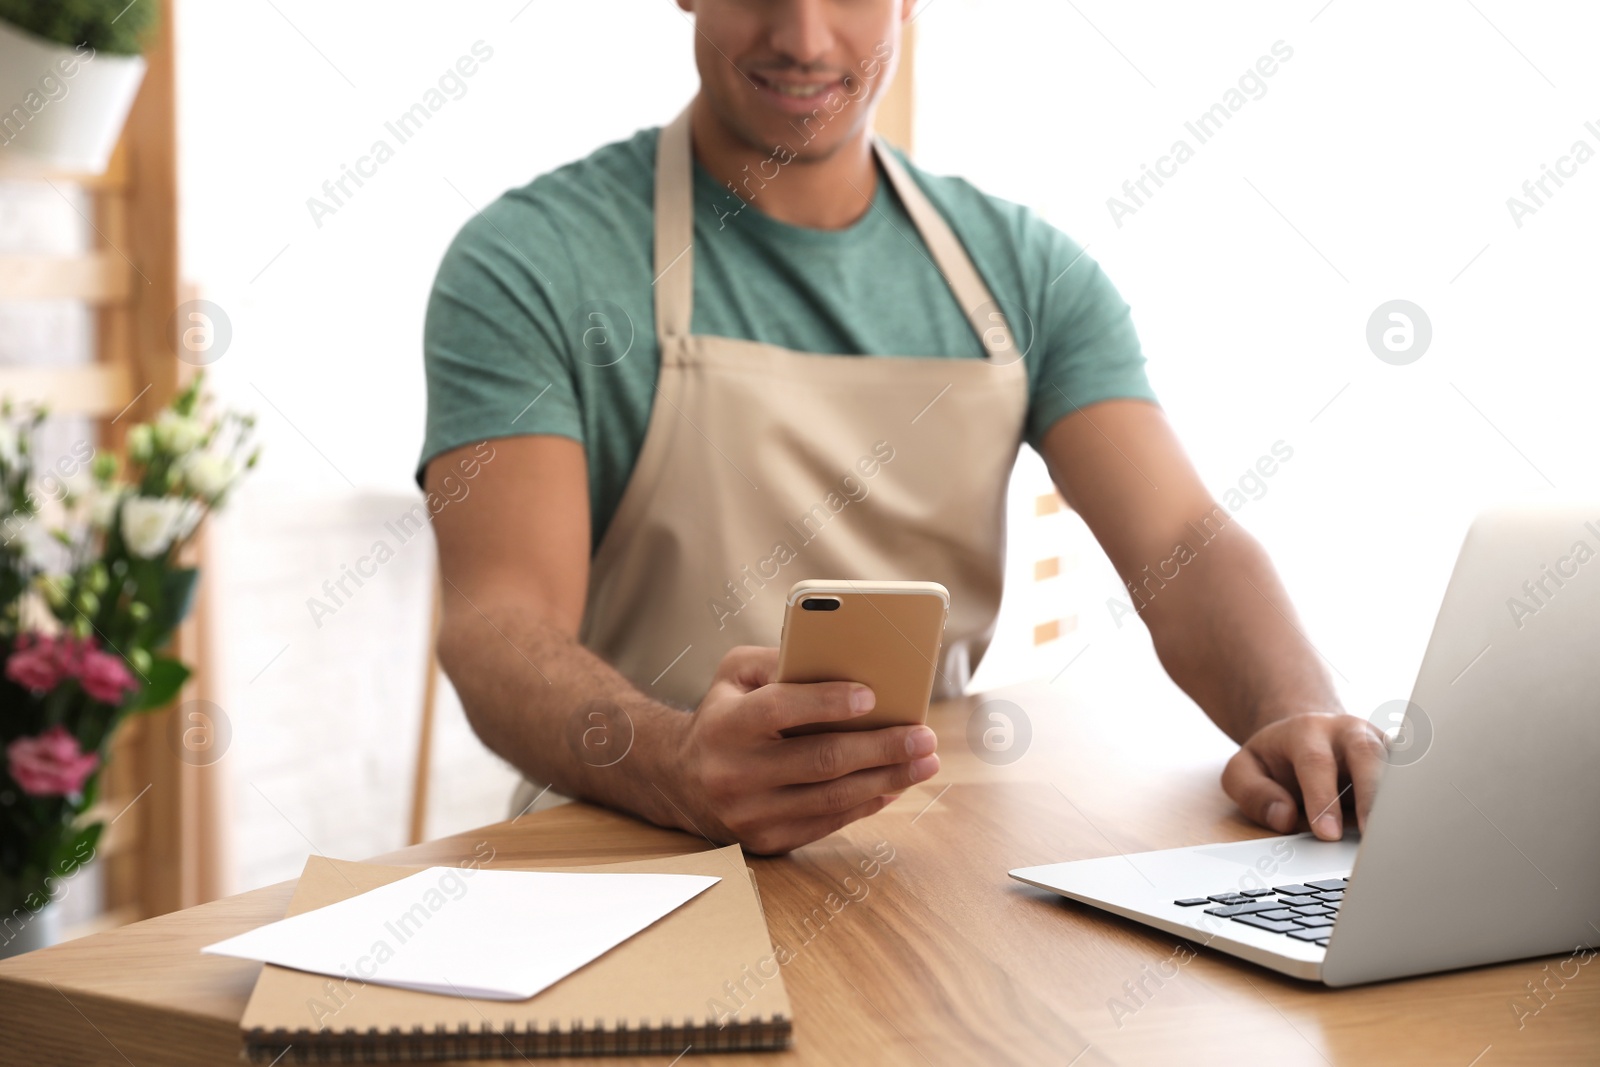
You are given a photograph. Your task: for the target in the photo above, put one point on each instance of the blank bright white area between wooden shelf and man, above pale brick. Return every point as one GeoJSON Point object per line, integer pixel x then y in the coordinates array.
{"type": "Point", "coordinates": [329, 319]}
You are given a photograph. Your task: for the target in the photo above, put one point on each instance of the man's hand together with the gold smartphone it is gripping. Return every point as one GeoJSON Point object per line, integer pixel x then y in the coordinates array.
{"type": "Point", "coordinates": [793, 745]}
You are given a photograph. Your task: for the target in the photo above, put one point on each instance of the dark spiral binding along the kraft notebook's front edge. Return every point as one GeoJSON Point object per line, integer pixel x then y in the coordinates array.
{"type": "Point", "coordinates": [487, 1042]}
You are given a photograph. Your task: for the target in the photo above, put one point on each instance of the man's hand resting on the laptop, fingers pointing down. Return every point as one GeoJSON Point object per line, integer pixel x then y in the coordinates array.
{"type": "Point", "coordinates": [1316, 762]}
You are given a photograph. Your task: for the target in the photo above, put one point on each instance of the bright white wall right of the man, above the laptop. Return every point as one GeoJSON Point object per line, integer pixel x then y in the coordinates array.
{"type": "Point", "coordinates": [1377, 167]}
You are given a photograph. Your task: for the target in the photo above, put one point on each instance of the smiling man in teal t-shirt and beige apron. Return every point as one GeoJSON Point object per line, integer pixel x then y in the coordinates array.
{"type": "Point", "coordinates": [750, 350]}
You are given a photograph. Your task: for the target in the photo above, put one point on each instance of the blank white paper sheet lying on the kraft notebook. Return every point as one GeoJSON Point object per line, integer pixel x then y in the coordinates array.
{"type": "Point", "coordinates": [495, 935]}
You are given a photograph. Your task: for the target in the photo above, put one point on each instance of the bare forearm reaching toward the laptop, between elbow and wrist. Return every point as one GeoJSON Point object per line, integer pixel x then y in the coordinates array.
{"type": "Point", "coordinates": [1226, 633]}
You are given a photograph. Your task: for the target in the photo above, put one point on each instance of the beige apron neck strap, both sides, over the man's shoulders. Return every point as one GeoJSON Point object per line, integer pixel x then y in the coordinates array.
{"type": "Point", "coordinates": [674, 249]}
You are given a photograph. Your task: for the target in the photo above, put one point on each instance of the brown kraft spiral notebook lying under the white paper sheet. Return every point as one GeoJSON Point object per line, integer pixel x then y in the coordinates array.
{"type": "Point", "coordinates": [698, 977]}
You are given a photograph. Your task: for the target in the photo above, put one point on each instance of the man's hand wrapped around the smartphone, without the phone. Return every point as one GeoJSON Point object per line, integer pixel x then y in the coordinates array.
{"type": "Point", "coordinates": [742, 781]}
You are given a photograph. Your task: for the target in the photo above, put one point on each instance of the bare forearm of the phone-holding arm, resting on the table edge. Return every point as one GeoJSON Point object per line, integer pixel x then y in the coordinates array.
{"type": "Point", "coordinates": [561, 714]}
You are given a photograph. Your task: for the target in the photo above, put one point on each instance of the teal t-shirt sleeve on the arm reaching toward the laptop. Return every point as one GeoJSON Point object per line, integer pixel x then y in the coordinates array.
{"type": "Point", "coordinates": [1087, 346]}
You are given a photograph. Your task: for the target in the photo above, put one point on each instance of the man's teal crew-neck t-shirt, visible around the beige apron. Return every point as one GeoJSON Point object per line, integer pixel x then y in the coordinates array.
{"type": "Point", "coordinates": [542, 319]}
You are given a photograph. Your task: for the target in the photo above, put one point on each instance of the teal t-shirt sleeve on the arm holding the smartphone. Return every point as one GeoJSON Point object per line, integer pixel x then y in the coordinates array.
{"type": "Point", "coordinates": [494, 348]}
